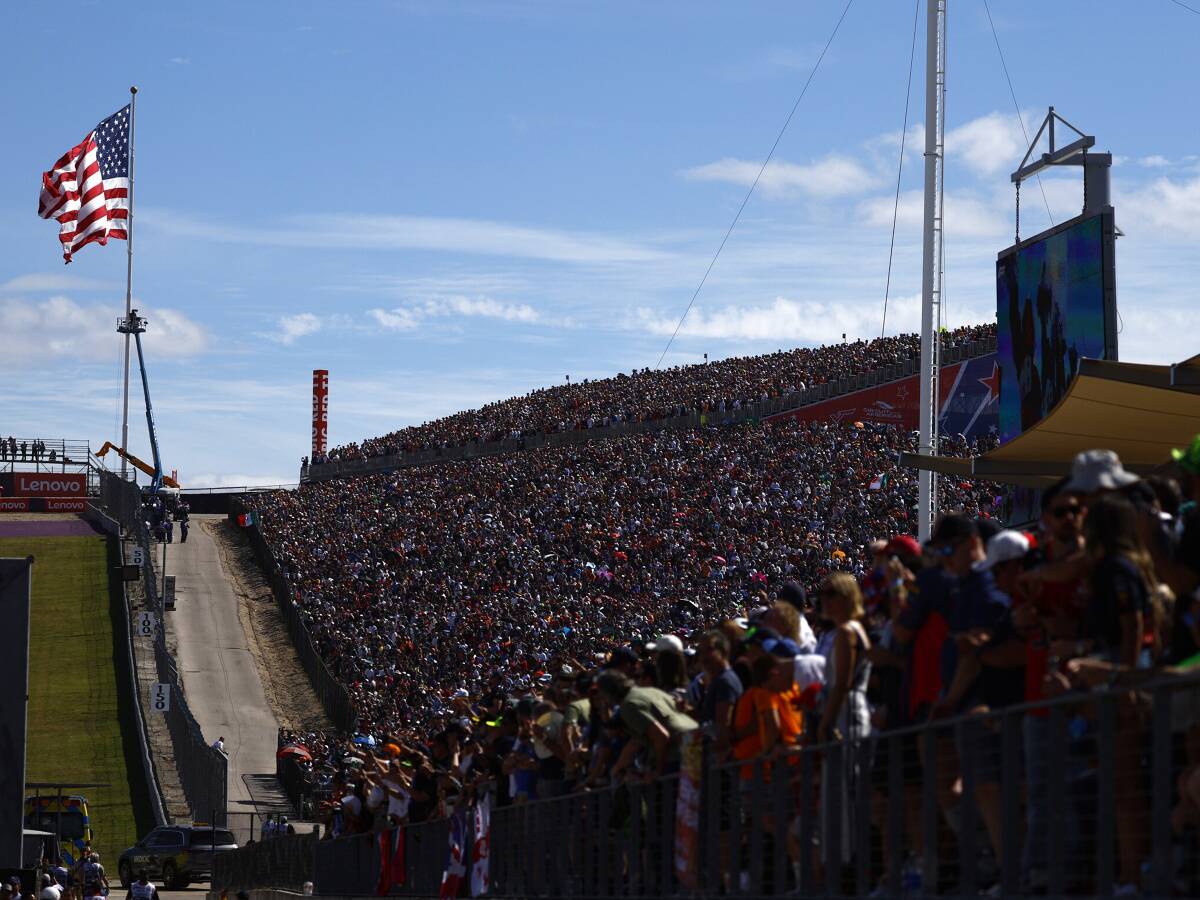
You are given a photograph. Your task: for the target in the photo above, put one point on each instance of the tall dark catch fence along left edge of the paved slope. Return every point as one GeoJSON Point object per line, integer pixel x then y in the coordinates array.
{"type": "Point", "coordinates": [203, 771]}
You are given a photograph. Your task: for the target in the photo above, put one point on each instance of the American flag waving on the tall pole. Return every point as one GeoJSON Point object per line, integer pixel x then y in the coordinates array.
{"type": "Point", "coordinates": [88, 190]}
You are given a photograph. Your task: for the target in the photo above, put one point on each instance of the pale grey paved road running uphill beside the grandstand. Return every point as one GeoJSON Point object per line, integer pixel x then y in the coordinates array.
{"type": "Point", "coordinates": [220, 679]}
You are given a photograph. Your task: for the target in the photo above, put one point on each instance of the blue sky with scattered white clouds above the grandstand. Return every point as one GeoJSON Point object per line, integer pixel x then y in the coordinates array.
{"type": "Point", "coordinates": [448, 203]}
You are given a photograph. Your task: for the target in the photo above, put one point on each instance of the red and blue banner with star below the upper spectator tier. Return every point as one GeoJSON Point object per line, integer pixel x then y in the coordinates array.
{"type": "Point", "coordinates": [970, 400]}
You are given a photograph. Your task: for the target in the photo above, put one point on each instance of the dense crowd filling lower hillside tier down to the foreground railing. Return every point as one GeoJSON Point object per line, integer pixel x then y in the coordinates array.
{"type": "Point", "coordinates": [759, 595]}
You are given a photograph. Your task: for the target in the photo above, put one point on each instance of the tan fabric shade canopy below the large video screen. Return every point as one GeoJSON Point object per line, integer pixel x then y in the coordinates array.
{"type": "Point", "coordinates": [1142, 412]}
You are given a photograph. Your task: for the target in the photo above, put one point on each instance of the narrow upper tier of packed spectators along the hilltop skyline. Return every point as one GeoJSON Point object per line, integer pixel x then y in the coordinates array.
{"type": "Point", "coordinates": [656, 394]}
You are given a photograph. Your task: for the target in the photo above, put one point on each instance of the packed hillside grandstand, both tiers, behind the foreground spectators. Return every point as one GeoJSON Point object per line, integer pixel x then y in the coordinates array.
{"type": "Point", "coordinates": [563, 553]}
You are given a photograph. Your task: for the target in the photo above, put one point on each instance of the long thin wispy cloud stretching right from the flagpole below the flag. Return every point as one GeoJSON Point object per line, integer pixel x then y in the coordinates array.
{"type": "Point", "coordinates": [365, 232]}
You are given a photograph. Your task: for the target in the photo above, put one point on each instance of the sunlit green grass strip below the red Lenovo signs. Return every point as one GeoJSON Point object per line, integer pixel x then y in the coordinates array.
{"type": "Point", "coordinates": [76, 709]}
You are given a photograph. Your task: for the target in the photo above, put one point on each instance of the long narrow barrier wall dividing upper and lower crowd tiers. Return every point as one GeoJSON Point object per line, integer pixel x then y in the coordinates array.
{"type": "Point", "coordinates": [689, 419]}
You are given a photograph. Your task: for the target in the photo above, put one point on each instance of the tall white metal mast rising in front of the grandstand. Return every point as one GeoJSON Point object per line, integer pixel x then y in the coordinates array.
{"type": "Point", "coordinates": [932, 253]}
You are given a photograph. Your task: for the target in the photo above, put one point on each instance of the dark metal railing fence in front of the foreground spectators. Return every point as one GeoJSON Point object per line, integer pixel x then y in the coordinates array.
{"type": "Point", "coordinates": [1070, 797]}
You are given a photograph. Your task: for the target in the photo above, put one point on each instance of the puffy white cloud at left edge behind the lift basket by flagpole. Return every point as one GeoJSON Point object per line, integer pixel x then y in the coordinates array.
{"type": "Point", "coordinates": [61, 329]}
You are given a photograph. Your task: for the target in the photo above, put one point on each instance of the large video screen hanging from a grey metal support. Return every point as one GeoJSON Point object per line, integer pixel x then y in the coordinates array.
{"type": "Point", "coordinates": [1055, 303]}
